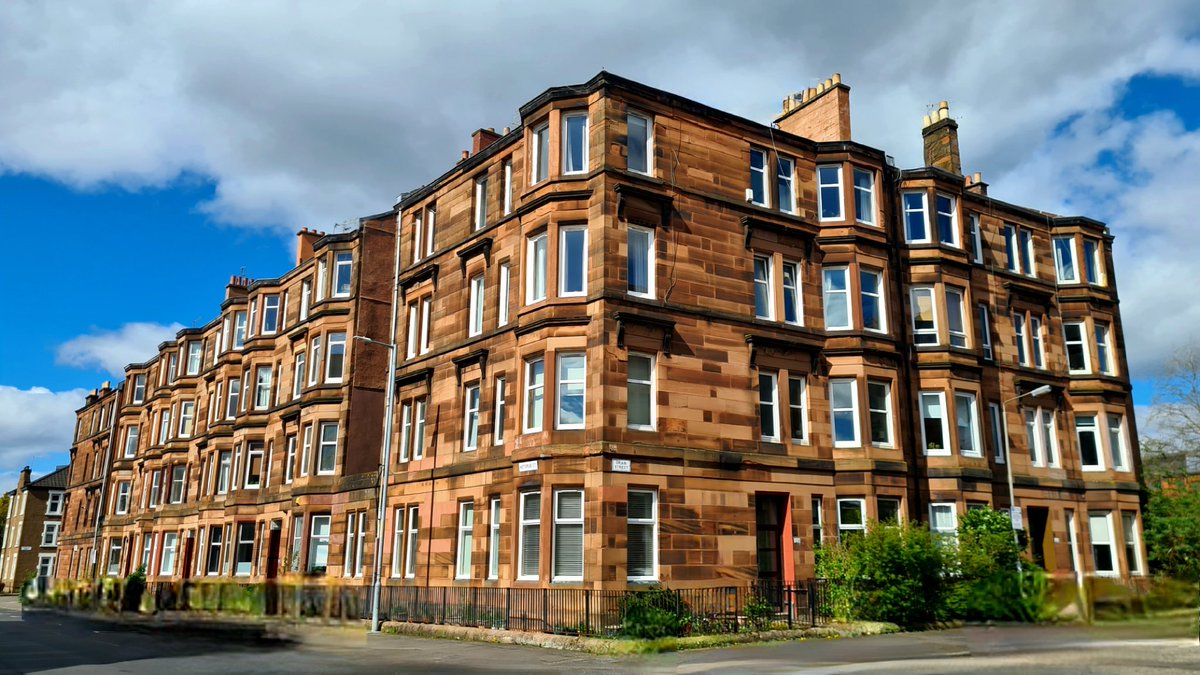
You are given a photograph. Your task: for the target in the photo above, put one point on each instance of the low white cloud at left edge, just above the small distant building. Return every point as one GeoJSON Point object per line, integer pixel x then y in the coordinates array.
{"type": "Point", "coordinates": [35, 429]}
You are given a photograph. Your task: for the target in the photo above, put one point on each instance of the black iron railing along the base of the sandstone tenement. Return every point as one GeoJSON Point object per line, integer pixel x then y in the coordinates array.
{"type": "Point", "coordinates": [573, 612]}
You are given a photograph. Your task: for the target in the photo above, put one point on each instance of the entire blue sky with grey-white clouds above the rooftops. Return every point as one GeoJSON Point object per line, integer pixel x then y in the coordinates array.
{"type": "Point", "coordinates": [149, 153]}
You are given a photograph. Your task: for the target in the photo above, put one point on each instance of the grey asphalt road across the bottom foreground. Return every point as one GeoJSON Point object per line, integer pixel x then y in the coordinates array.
{"type": "Point", "coordinates": [43, 642]}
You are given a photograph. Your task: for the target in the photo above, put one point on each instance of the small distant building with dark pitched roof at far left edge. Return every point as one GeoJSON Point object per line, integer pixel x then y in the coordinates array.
{"type": "Point", "coordinates": [32, 530]}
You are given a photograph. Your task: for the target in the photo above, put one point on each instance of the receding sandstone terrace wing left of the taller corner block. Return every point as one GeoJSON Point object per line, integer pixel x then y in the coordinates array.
{"type": "Point", "coordinates": [207, 457]}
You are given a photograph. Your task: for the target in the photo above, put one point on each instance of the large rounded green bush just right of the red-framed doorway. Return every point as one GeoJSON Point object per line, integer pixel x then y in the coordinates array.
{"type": "Point", "coordinates": [891, 574]}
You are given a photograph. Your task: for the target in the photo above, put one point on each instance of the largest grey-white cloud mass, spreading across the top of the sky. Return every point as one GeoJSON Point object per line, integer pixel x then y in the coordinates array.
{"type": "Point", "coordinates": [305, 115]}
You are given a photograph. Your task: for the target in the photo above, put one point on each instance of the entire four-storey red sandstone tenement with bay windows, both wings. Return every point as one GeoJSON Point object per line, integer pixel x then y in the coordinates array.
{"type": "Point", "coordinates": [646, 341]}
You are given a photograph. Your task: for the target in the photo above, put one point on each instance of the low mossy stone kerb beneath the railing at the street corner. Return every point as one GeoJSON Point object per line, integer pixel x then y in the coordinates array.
{"type": "Point", "coordinates": [609, 647]}
